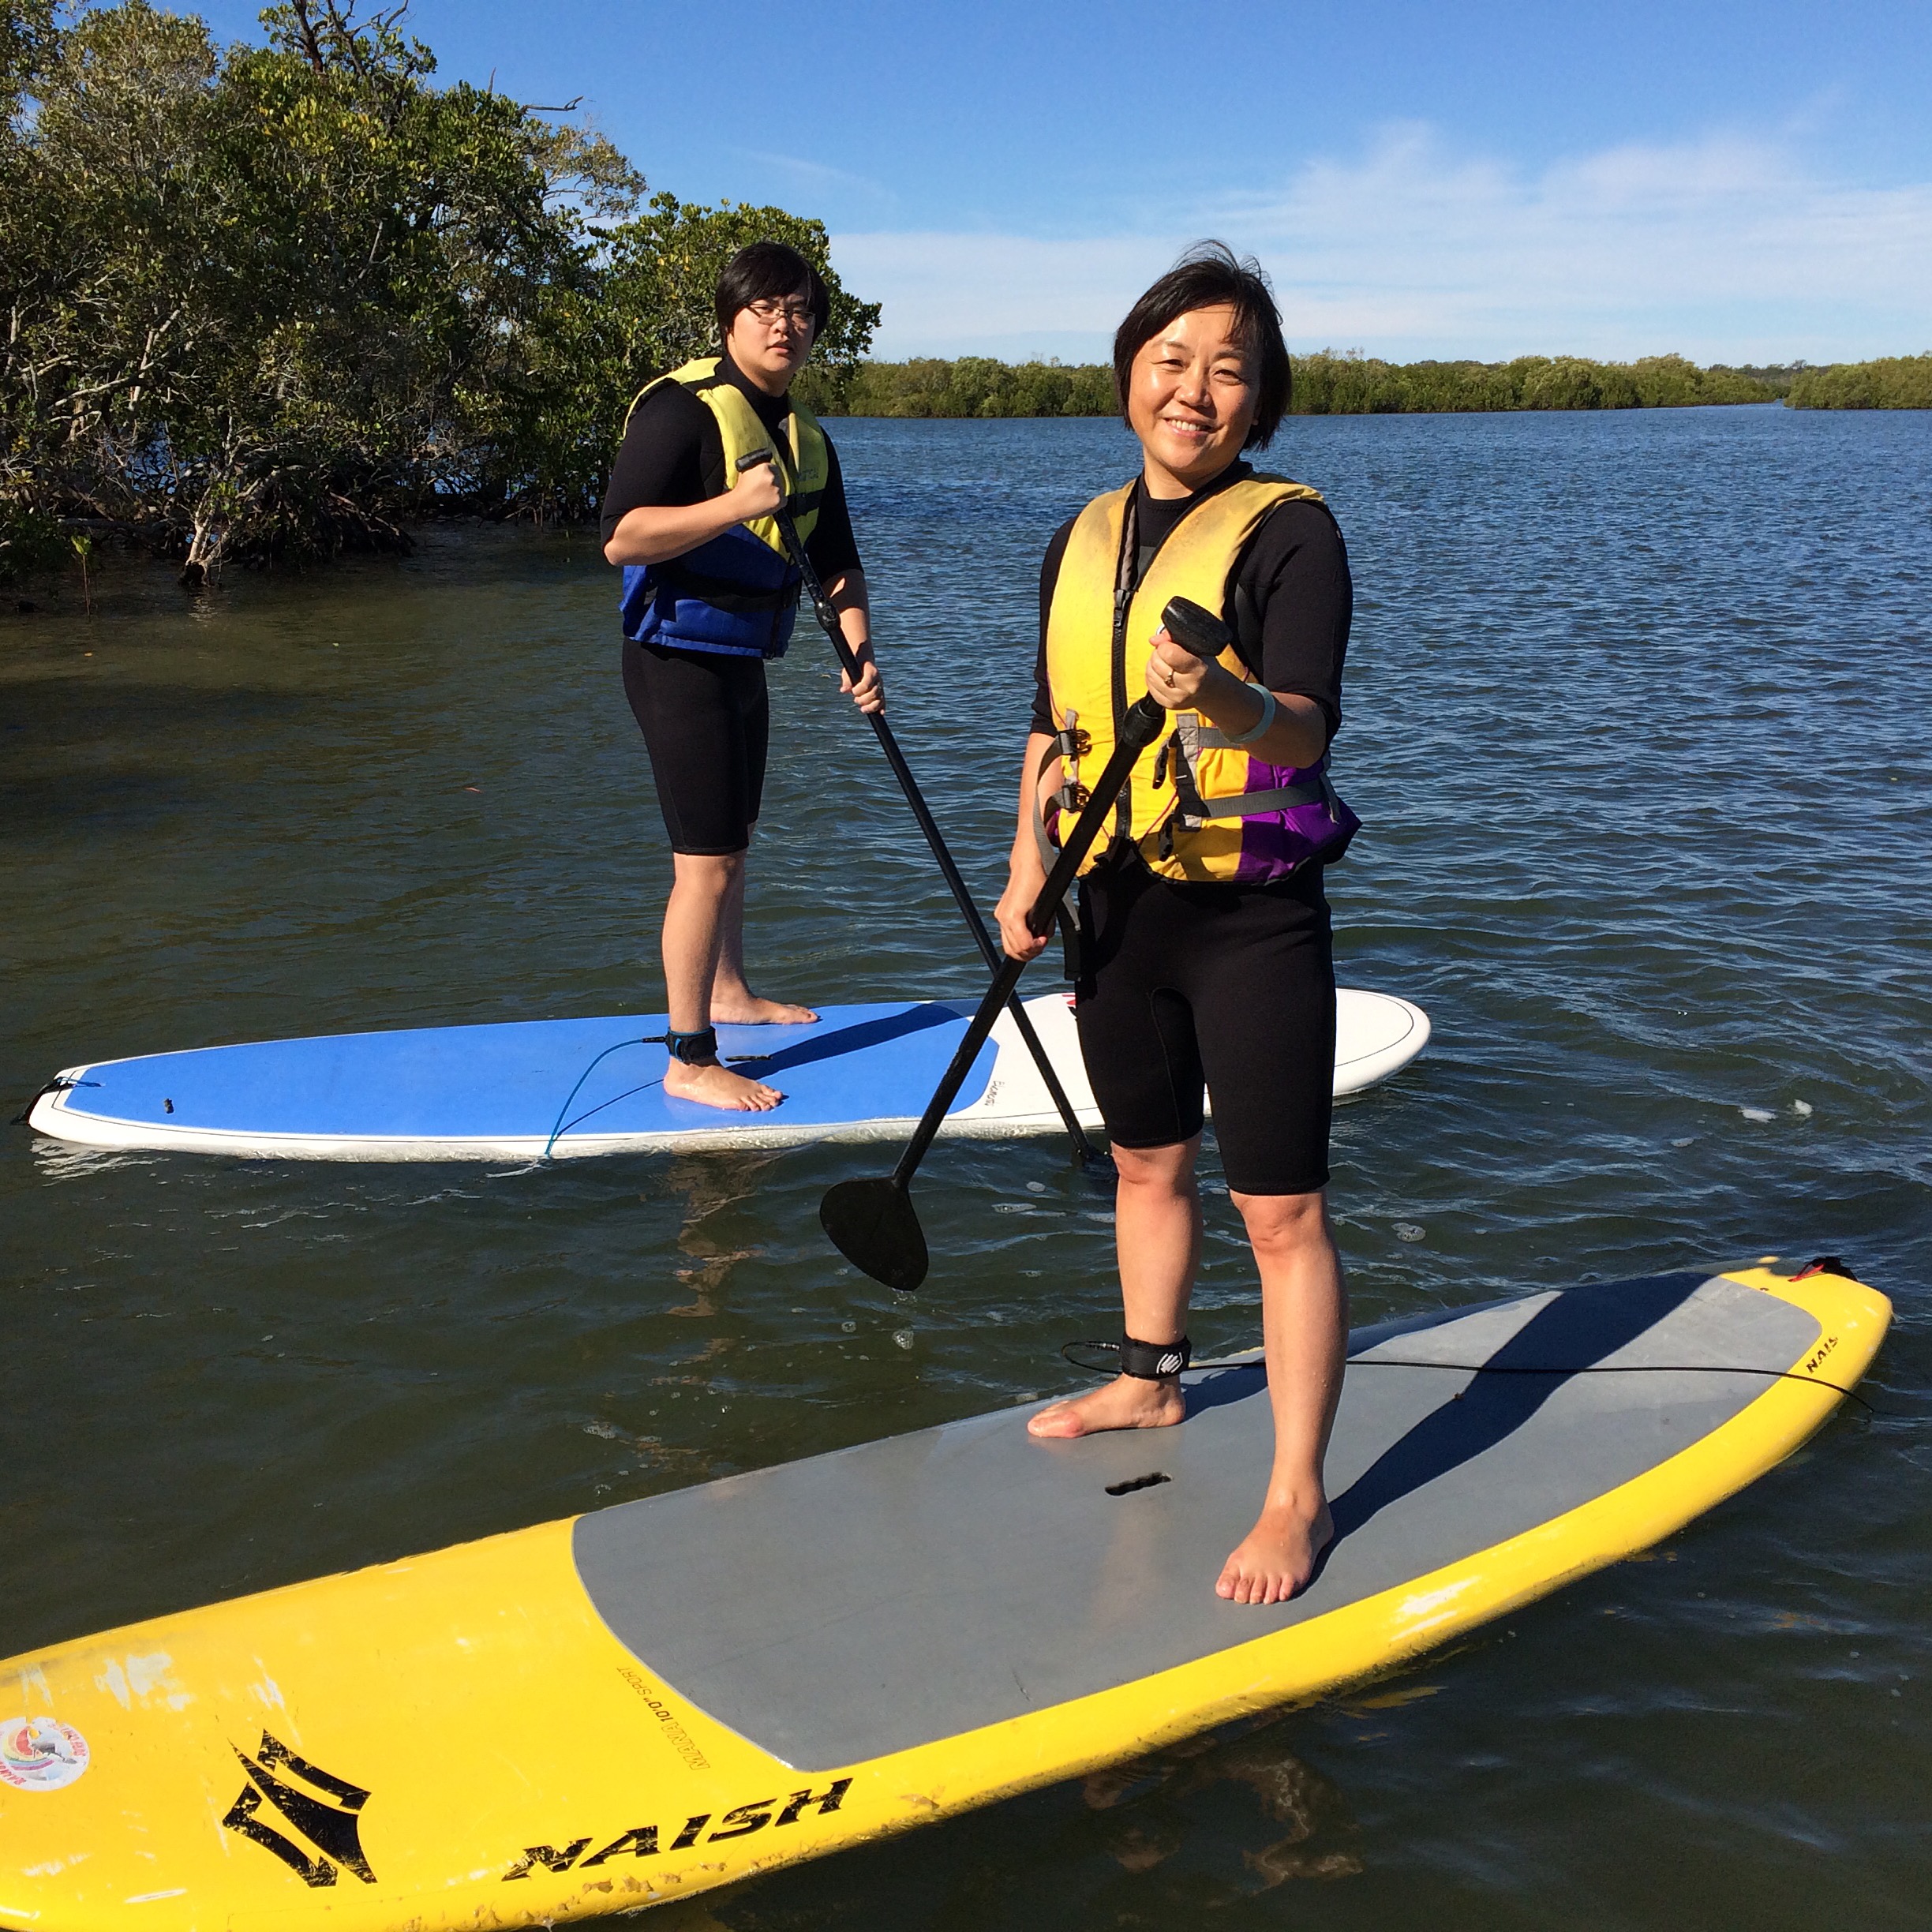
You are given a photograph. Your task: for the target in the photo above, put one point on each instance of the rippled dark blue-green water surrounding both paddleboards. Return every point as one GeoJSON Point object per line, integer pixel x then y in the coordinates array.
{"type": "Point", "coordinates": [1637, 718]}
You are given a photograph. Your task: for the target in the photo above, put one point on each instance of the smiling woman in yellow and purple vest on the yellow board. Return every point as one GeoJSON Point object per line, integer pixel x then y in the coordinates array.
{"type": "Point", "coordinates": [1205, 928]}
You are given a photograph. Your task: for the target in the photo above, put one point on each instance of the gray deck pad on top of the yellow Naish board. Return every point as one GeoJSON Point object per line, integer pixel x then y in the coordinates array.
{"type": "Point", "coordinates": [907, 1591]}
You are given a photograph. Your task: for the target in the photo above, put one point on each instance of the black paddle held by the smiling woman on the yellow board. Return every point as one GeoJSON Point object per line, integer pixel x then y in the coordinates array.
{"type": "Point", "coordinates": [874, 1224]}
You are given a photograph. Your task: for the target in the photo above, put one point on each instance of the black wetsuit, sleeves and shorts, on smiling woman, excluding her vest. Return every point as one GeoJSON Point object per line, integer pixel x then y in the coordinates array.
{"type": "Point", "coordinates": [1220, 986]}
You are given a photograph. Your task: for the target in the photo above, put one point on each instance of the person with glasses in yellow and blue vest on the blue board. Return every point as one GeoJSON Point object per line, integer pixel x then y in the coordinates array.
{"type": "Point", "coordinates": [710, 596]}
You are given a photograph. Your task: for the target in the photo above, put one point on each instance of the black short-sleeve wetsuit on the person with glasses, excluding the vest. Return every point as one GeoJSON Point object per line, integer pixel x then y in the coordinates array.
{"type": "Point", "coordinates": [706, 716]}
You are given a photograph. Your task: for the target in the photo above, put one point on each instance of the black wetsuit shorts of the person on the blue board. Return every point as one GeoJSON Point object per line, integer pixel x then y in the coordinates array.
{"type": "Point", "coordinates": [706, 720]}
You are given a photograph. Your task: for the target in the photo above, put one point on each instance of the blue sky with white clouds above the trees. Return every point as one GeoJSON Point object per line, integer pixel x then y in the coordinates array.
{"type": "Point", "coordinates": [1734, 183]}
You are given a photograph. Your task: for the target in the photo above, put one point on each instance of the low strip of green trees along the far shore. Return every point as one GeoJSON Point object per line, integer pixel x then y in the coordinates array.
{"type": "Point", "coordinates": [1348, 384]}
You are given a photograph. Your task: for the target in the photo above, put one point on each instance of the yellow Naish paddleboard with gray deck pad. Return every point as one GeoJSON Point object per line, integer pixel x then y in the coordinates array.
{"type": "Point", "coordinates": [669, 1695]}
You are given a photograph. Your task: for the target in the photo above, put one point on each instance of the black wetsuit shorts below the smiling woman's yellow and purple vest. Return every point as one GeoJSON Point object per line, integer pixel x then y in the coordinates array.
{"type": "Point", "coordinates": [1220, 986]}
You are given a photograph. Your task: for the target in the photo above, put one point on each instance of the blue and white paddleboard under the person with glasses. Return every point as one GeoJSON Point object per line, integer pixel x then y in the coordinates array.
{"type": "Point", "coordinates": [532, 1089]}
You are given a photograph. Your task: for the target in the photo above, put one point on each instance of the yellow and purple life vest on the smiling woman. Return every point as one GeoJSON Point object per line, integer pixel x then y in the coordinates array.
{"type": "Point", "coordinates": [1195, 807]}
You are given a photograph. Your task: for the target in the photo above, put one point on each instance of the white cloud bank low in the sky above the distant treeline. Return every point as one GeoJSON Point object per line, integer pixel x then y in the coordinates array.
{"type": "Point", "coordinates": [1724, 248]}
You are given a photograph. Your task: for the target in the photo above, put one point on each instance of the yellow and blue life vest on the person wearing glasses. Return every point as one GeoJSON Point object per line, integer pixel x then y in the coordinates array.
{"type": "Point", "coordinates": [739, 592]}
